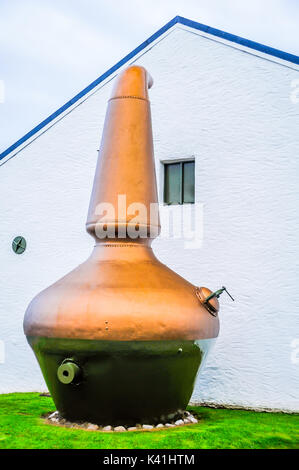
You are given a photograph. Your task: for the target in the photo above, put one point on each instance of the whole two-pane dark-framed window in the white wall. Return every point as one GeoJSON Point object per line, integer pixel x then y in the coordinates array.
{"type": "Point", "coordinates": [179, 182]}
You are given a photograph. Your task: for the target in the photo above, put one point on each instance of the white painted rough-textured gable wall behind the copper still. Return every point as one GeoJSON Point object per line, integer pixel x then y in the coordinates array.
{"type": "Point", "coordinates": [232, 111]}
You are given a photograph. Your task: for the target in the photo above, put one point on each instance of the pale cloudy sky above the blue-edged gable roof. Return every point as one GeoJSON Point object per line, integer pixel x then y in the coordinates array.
{"type": "Point", "coordinates": [51, 49]}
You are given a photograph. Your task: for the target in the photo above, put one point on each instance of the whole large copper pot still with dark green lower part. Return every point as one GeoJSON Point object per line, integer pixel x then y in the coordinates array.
{"type": "Point", "coordinates": [121, 338]}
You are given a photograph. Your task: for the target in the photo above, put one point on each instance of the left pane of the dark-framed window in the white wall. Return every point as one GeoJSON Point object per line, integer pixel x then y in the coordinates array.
{"type": "Point", "coordinates": [173, 183]}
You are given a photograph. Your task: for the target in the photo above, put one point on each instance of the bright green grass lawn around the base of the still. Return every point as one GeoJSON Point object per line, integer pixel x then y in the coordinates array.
{"type": "Point", "coordinates": [21, 427]}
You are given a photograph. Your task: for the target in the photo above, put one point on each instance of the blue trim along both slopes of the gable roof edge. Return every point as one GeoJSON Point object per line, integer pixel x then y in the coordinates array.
{"type": "Point", "coordinates": [178, 19]}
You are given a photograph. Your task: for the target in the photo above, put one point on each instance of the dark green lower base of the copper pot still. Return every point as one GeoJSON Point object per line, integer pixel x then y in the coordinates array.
{"type": "Point", "coordinates": [121, 382]}
